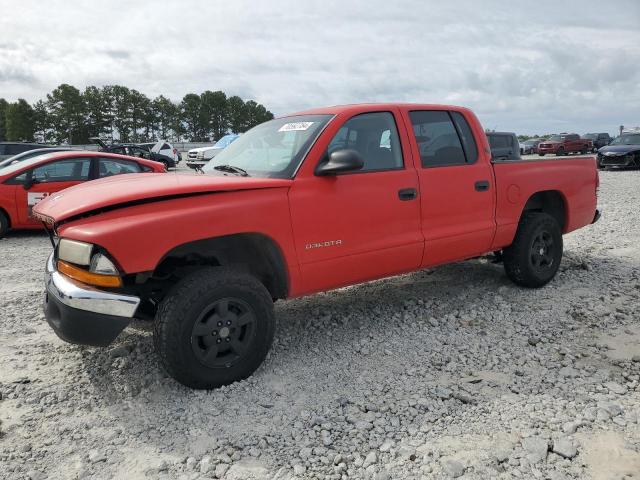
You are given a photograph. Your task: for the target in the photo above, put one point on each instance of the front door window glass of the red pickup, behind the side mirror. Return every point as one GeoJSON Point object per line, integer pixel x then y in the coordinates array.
{"type": "Point", "coordinates": [375, 137]}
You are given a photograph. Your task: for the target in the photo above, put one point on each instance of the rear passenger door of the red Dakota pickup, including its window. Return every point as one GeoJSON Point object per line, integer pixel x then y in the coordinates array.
{"type": "Point", "coordinates": [457, 191]}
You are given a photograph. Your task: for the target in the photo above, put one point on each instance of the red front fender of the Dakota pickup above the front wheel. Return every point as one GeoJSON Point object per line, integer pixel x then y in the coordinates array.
{"type": "Point", "coordinates": [139, 236]}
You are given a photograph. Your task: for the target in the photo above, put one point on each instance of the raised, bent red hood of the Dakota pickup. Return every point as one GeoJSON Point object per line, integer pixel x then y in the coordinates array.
{"type": "Point", "coordinates": [122, 190]}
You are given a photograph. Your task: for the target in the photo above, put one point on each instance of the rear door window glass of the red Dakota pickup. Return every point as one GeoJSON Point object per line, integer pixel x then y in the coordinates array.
{"type": "Point", "coordinates": [437, 138]}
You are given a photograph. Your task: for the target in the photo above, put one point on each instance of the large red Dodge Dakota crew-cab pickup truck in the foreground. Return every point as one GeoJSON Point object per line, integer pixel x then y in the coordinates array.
{"type": "Point", "coordinates": [300, 204]}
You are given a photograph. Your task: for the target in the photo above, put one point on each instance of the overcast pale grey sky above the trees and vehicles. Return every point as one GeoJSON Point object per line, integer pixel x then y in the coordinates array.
{"type": "Point", "coordinates": [529, 67]}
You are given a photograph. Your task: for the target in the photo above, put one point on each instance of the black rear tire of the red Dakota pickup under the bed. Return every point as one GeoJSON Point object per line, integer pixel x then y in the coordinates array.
{"type": "Point", "coordinates": [519, 256]}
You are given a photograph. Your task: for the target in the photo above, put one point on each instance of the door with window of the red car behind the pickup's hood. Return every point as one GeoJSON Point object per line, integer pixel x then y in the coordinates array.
{"type": "Point", "coordinates": [47, 179]}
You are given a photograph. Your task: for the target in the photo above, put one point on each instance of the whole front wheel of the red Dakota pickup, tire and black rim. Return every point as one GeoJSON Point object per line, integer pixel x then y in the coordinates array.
{"type": "Point", "coordinates": [214, 328]}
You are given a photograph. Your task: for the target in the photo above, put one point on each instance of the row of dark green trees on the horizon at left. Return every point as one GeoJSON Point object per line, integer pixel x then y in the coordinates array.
{"type": "Point", "coordinates": [118, 113]}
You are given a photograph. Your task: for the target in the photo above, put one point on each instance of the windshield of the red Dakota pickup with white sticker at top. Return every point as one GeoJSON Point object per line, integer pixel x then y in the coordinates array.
{"type": "Point", "coordinates": [272, 149]}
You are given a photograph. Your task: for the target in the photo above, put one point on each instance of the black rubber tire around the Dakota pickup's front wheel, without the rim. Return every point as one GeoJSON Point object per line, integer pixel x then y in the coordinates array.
{"type": "Point", "coordinates": [181, 309]}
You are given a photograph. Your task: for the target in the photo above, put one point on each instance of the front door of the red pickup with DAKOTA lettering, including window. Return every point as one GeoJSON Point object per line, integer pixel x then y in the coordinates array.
{"type": "Point", "coordinates": [359, 225]}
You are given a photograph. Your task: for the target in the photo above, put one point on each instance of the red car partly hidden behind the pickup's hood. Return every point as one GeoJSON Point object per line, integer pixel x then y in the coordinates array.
{"type": "Point", "coordinates": [24, 184]}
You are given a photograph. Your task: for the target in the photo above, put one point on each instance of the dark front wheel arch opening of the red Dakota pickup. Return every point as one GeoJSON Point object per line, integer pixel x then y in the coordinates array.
{"type": "Point", "coordinates": [254, 252]}
